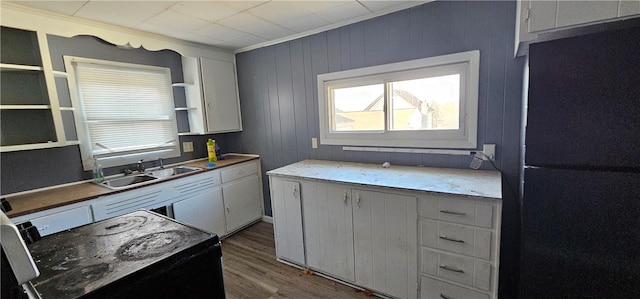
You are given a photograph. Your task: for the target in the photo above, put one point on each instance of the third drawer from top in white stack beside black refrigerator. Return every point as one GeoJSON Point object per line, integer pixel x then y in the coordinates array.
{"type": "Point", "coordinates": [455, 268]}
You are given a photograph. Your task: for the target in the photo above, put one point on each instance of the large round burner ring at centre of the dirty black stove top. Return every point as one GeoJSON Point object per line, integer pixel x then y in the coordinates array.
{"type": "Point", "coordinates": [151, 245]}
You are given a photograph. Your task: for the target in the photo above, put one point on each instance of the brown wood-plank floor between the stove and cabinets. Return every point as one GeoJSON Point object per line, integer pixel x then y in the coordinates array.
{"type": "Point", "coordinates": [252, 271]}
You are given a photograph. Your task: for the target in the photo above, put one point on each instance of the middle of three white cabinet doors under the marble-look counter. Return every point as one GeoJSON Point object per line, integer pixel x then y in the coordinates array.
{"type": "Point", "coordinates": [328, 228]}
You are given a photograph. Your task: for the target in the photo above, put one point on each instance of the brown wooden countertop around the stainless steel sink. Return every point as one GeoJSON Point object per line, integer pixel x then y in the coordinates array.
{"type": "Point", "coordinates": [56, 197]}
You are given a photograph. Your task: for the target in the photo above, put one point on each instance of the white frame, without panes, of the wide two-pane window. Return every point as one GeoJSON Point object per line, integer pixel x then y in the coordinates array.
{"type": "Point", "coordinates": [467, 64]}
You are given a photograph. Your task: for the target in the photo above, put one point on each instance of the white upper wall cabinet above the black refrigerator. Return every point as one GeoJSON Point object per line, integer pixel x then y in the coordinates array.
{"type": "Point", "coordinates": [537, 17]}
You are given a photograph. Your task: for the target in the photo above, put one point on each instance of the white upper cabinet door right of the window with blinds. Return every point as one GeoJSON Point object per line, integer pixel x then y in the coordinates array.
{"type": "Point", "coordinates": [220, 96]}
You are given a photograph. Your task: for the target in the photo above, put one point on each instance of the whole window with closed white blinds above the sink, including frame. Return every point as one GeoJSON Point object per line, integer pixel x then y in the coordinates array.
{"type": "Point", "coordinates": [127, 111]}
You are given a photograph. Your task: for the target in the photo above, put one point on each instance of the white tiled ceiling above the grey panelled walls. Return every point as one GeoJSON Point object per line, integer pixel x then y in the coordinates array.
{"type": "Point", "coordinates": [234, 25]}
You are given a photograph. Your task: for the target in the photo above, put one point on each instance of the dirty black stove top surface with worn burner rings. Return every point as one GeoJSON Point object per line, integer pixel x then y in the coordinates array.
{"type": "Point", "coordinates": [84, 259]}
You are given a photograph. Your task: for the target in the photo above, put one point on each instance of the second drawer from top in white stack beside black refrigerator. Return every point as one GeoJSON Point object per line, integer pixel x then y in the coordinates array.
{"type": "Point", "coordinates": [456, 238]}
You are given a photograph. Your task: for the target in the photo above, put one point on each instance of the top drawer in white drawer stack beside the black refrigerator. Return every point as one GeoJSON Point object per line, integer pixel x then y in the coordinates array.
{"type": "Point", "coordinates": [457, 209]}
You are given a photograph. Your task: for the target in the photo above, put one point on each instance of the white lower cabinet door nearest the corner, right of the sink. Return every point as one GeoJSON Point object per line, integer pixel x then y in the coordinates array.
{"type": "Point", "coordinates": [242, 202]}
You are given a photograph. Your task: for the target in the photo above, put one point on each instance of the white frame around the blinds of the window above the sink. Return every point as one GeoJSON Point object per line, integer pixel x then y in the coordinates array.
{"type": "Point", "coordinates": [129, 157]}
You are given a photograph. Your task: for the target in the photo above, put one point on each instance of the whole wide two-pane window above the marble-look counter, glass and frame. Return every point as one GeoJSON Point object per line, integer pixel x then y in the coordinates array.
{"type": "Point", "coordinates": [424, 103]}
